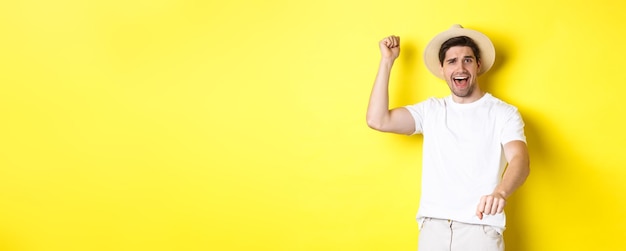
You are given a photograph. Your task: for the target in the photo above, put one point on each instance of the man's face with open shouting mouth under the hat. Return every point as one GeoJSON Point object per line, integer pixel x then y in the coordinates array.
{"type": "Point", "coordinates": [460, 70]}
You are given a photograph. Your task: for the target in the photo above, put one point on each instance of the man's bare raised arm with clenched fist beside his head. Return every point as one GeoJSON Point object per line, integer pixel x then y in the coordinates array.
{"type": "Point", "coordinates": [379, 116]}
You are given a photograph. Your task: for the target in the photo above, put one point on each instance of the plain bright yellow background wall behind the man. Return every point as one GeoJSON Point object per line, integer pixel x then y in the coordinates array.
{"type": "Point", "coordinates": [240, 125]}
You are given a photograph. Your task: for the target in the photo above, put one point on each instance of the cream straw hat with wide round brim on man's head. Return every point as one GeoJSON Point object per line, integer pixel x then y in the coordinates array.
{"type": "Point", "coordinates": [431, 53]}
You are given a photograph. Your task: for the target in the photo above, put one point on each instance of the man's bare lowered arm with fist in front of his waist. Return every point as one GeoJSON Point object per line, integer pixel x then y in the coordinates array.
{"type": "Point", "coordinates": [516, 154]}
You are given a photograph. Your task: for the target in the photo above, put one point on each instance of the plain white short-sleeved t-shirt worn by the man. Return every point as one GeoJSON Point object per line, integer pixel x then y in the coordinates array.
{"type": "Point", "coordinates": [463, 157]}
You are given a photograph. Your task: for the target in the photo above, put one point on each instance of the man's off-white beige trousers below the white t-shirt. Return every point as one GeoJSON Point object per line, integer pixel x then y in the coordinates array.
{"type": "Point", "coordinates": [448, 235]}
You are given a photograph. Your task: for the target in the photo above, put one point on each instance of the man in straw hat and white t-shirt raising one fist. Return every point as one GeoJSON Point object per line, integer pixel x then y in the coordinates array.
{"type": "Point", "coordinates": [474, 150]}
